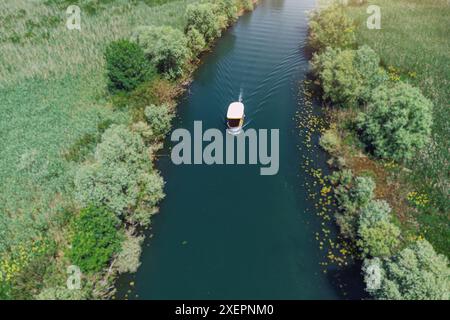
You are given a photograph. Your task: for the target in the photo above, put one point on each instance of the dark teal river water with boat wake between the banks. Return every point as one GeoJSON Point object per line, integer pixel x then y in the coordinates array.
{"type": "Point", "coordinates": [261, 245]}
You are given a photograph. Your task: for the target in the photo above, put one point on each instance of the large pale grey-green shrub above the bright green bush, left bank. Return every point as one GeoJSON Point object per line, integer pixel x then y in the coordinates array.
{"type": "Point", "coordinates": [121, 177]}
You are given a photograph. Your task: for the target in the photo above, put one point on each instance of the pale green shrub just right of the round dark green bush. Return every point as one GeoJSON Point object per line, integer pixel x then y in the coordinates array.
{"type": "Point", "coordinates": [166, 47]}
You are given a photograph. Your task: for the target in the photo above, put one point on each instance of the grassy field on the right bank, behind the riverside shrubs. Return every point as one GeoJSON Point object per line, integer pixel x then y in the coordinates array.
{"type": "Point", "coordinates": [414, 44]}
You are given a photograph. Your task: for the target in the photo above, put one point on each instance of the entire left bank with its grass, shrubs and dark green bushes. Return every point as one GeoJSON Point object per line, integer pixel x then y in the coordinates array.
{"type": "Point", "coordinates": [94, 215]}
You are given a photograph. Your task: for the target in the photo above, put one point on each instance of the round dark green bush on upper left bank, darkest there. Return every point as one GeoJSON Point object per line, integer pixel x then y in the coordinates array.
{"type": "Point", "coordinates": [126, 66]}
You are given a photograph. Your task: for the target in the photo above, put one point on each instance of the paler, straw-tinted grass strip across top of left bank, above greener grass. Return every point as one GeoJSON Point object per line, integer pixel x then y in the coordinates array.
{"type": "Point", "coordinates": [34, 49]}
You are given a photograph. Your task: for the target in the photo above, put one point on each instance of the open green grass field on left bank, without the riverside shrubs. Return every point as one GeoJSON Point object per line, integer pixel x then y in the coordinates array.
{"type": "Point", "coordinates": [54, 106]}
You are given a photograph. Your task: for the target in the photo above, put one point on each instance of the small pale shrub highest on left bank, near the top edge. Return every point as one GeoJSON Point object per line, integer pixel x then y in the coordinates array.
{"type": "Point", "coordinates": [203, 17]}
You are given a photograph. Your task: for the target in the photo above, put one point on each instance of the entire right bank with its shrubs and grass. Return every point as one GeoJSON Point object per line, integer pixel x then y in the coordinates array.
{"type": "Point", "coordinates": [383, 114]}
